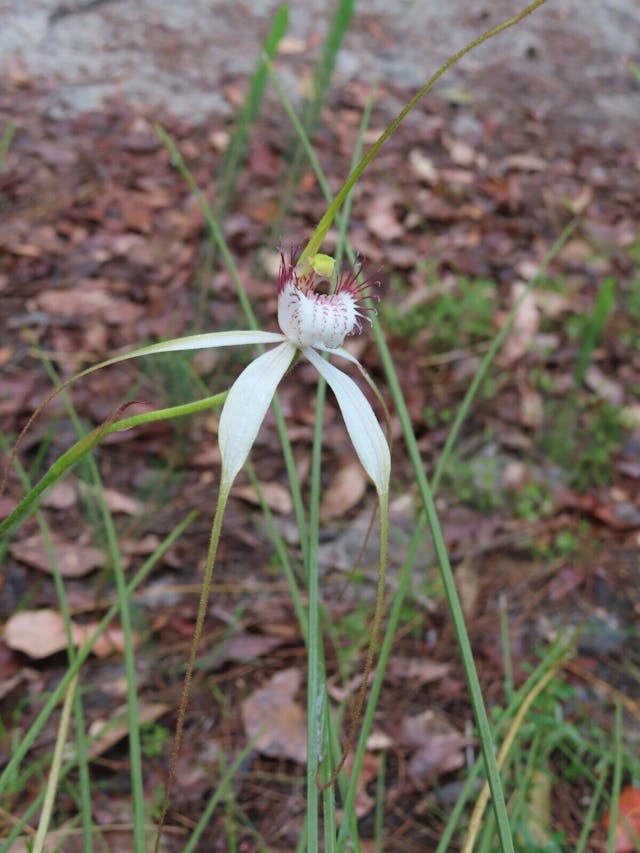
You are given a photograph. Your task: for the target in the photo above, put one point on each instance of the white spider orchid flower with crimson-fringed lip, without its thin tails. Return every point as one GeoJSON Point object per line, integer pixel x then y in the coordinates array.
{"type": "Point", "coordinates": [311, 323]}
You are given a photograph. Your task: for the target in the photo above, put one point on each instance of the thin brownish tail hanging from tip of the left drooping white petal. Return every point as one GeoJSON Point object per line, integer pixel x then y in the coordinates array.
{"type": "Point", "coordinates": [216, 528]}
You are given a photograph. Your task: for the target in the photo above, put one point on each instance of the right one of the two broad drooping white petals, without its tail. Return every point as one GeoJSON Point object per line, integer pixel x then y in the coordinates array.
{"type": "Point", "coordinates": [362, 425]}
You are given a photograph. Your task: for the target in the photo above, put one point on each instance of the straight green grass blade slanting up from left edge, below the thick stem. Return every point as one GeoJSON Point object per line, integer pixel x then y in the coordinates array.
{"type": "Point", "coordinates": [27, 742]}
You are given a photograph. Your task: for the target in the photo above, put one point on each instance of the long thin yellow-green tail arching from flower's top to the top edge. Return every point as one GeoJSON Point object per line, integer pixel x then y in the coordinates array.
{"type": "Point", "coordinates": [325, 223]}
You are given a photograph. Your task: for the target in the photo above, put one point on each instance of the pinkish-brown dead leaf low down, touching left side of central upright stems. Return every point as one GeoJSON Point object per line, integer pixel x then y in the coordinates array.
{"type": "Point", "coordinates": [274, 720]}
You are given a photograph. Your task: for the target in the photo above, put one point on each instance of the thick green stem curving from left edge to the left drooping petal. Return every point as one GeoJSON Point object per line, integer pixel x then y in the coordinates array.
{"type": "Point", "coordinates": [71, 457]}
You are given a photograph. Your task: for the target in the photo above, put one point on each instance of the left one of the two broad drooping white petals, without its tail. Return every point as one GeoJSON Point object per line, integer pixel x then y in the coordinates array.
{"type": "Point", "coordinates": [246, 406]}
